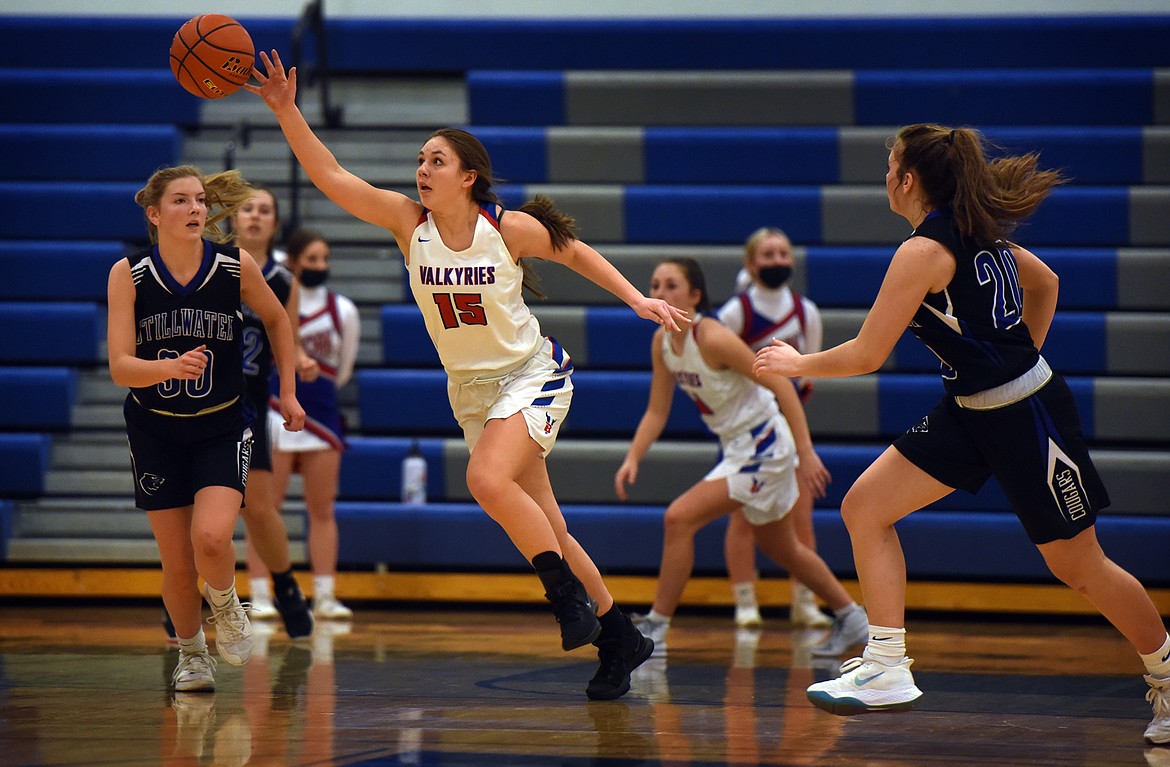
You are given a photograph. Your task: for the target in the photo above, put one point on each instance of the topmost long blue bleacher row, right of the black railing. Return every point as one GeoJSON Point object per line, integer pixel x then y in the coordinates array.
{"type": "Point", "coordinates": [368, 45]}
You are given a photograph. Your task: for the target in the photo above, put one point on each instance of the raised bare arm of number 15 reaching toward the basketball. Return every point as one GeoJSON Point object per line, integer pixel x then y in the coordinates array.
{"type": "Point", "coordinates": [381, 208]}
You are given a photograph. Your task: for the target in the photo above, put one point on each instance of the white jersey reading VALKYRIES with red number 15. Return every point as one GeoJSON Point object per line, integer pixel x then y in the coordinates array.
{"type": "Point", "coordinates": [471, 301]}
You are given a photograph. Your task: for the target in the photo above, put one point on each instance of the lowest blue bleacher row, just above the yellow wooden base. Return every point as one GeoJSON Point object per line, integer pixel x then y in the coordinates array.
{"type": "Point", "coordinates": [939, 545]}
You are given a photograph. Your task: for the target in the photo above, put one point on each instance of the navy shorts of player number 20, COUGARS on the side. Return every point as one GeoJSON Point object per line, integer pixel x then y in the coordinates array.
{"type": "Point", "coordinates": [1035, 448]}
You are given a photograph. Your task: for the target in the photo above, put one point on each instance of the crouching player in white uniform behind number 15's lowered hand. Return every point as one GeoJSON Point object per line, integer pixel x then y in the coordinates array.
{"type": "Point", "coordinates": [766, 457]}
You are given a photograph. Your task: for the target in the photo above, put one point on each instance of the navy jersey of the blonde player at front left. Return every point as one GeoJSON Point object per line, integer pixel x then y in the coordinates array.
{"type": "Point", "coordinates": [173, 320]}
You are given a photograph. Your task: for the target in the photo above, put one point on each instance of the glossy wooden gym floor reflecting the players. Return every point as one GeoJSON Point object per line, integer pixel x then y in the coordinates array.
{"type": "Point", "coordinates": [87, 685]}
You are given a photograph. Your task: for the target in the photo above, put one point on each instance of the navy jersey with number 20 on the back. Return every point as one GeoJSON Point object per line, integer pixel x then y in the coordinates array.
{"type": "Point", "coordinates": [976, 326]}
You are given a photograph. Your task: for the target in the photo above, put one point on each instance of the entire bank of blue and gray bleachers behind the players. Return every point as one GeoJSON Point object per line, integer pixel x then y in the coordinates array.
{"type": "Point", "coordinates": [85, 127]}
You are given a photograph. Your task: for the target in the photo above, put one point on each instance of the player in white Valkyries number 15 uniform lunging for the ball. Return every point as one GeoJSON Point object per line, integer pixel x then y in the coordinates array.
{"type": "Point", "coordinates": [510, 386]}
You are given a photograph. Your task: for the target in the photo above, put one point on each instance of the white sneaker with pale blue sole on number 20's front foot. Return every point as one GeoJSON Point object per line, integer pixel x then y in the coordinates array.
{"type": "Point", "coordinates": [868, 686]}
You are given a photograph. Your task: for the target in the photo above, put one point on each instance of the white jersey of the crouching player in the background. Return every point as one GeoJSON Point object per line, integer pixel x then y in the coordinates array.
{"type": "Point", "coordinates": [728, 403]}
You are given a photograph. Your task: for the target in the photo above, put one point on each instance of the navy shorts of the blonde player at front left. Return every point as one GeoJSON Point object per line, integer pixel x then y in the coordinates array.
{"type": "Point", "coordinates": [175, 458]}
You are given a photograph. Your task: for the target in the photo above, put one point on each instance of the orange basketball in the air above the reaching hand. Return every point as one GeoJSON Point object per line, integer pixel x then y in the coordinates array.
{"type": "Point", "coordinates": [212, 56]}
